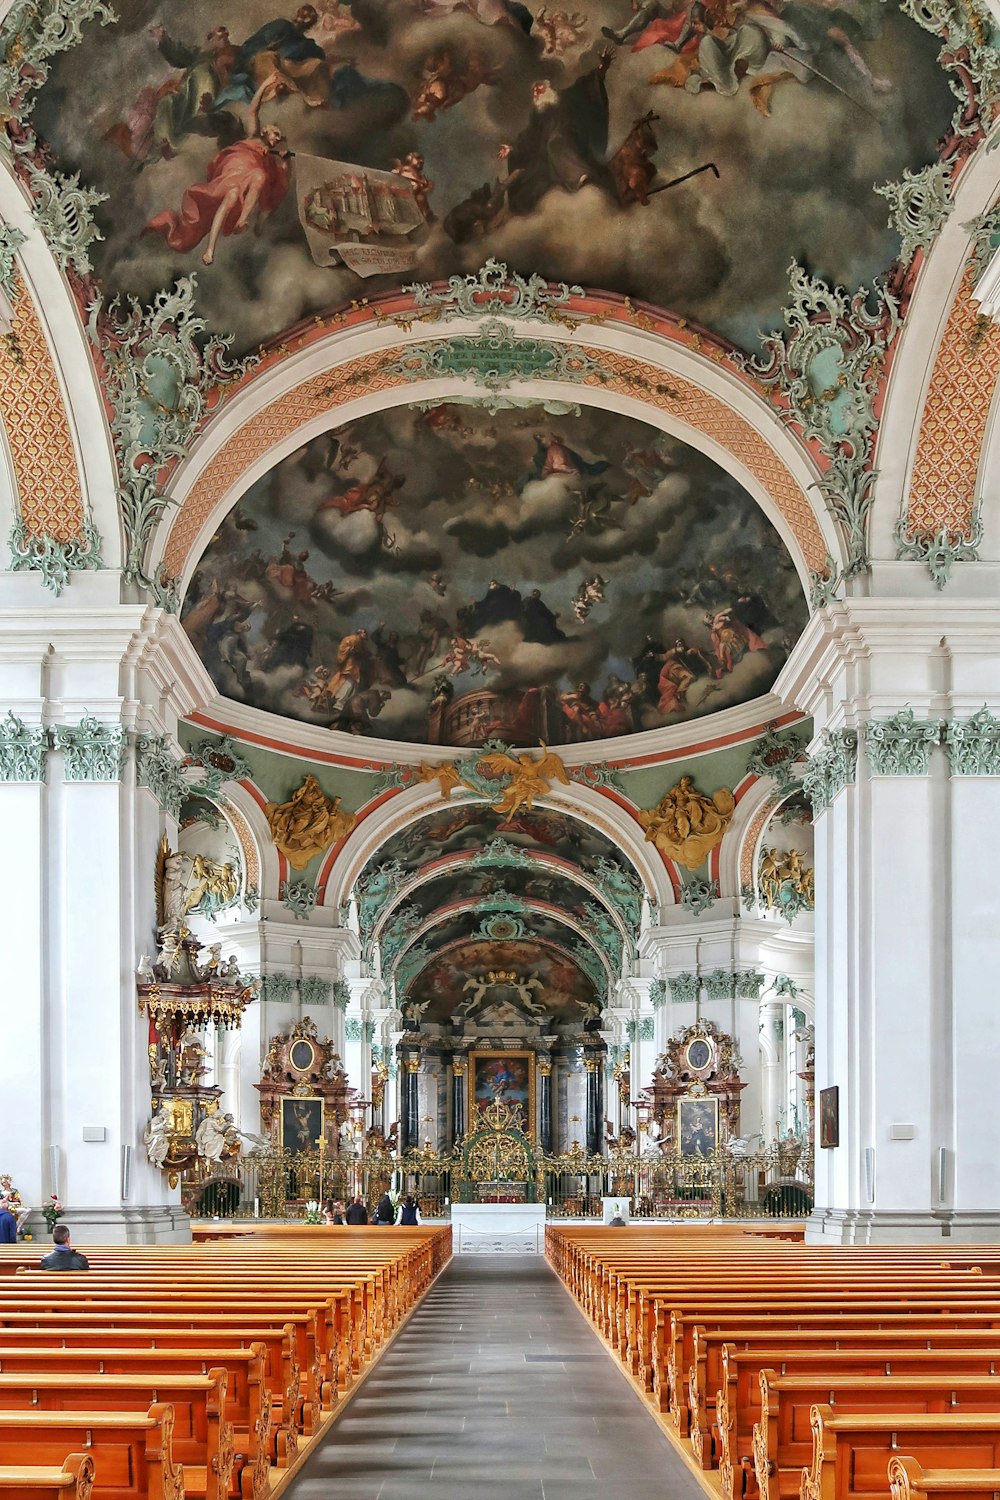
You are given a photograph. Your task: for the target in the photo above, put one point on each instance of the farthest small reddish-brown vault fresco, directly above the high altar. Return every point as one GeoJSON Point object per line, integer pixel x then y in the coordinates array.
{"type": "Point", "coordinates": [563, 988]}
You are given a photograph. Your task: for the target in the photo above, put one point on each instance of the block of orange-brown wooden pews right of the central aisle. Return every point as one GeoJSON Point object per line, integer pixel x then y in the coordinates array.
{"type": "Point", "coordinates": [804, 1373]}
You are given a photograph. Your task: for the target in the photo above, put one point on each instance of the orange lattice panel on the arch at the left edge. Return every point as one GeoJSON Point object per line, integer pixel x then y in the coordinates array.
{"type": "Point", "coordinates": [32, 407]}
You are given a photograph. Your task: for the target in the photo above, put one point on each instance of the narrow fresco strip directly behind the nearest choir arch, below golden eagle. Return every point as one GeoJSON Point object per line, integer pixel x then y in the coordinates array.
{"type": "Point", "coordinates": [460, 830]}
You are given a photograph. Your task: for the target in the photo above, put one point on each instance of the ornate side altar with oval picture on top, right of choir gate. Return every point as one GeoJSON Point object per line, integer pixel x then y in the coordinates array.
{"type": "Point", "coordinates": [695, 1091]}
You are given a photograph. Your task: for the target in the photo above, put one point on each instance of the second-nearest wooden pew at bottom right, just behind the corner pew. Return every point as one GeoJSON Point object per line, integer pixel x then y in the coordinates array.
{"type": "Point", "coordinates": [851, 1451]}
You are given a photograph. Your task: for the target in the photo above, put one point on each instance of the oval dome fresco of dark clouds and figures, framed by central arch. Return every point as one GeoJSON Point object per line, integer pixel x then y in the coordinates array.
{"type": "Point", "coordinates": [455, 577]}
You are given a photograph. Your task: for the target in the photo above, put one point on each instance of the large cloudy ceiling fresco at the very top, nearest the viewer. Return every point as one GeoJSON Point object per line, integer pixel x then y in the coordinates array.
{"type": "Point", "coordinates": [674, 151]}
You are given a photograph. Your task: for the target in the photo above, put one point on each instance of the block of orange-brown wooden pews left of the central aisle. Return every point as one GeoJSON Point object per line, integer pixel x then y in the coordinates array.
{"type": "Point", "coordinates": [194, 1372]}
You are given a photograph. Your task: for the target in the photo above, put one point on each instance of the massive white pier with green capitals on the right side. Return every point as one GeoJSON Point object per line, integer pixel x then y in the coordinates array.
{"type": "Point", "coordinates": [908, 923]}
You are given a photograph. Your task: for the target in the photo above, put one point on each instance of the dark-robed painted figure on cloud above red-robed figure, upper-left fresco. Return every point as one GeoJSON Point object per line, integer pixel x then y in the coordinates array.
{"type": "Point", "coordinates": [161, 119]}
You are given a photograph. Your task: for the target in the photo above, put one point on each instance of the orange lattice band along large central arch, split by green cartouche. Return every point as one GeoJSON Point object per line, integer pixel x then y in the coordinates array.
{"type": "Point", "coordinates": [373, 374]}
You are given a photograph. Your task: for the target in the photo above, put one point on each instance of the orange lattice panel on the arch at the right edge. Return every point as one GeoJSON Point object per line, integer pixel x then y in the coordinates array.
{"type": "Point", "coordinates": [954, 421]}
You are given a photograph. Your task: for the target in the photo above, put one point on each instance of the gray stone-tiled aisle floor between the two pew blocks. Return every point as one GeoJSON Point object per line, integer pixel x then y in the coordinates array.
{"type": "Point", "coordinates": [499, 1388]}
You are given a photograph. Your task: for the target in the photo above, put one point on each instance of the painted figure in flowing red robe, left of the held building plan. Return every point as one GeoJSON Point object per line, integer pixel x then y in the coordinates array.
{"type": "Point", "coordinates": [244, 181]}
